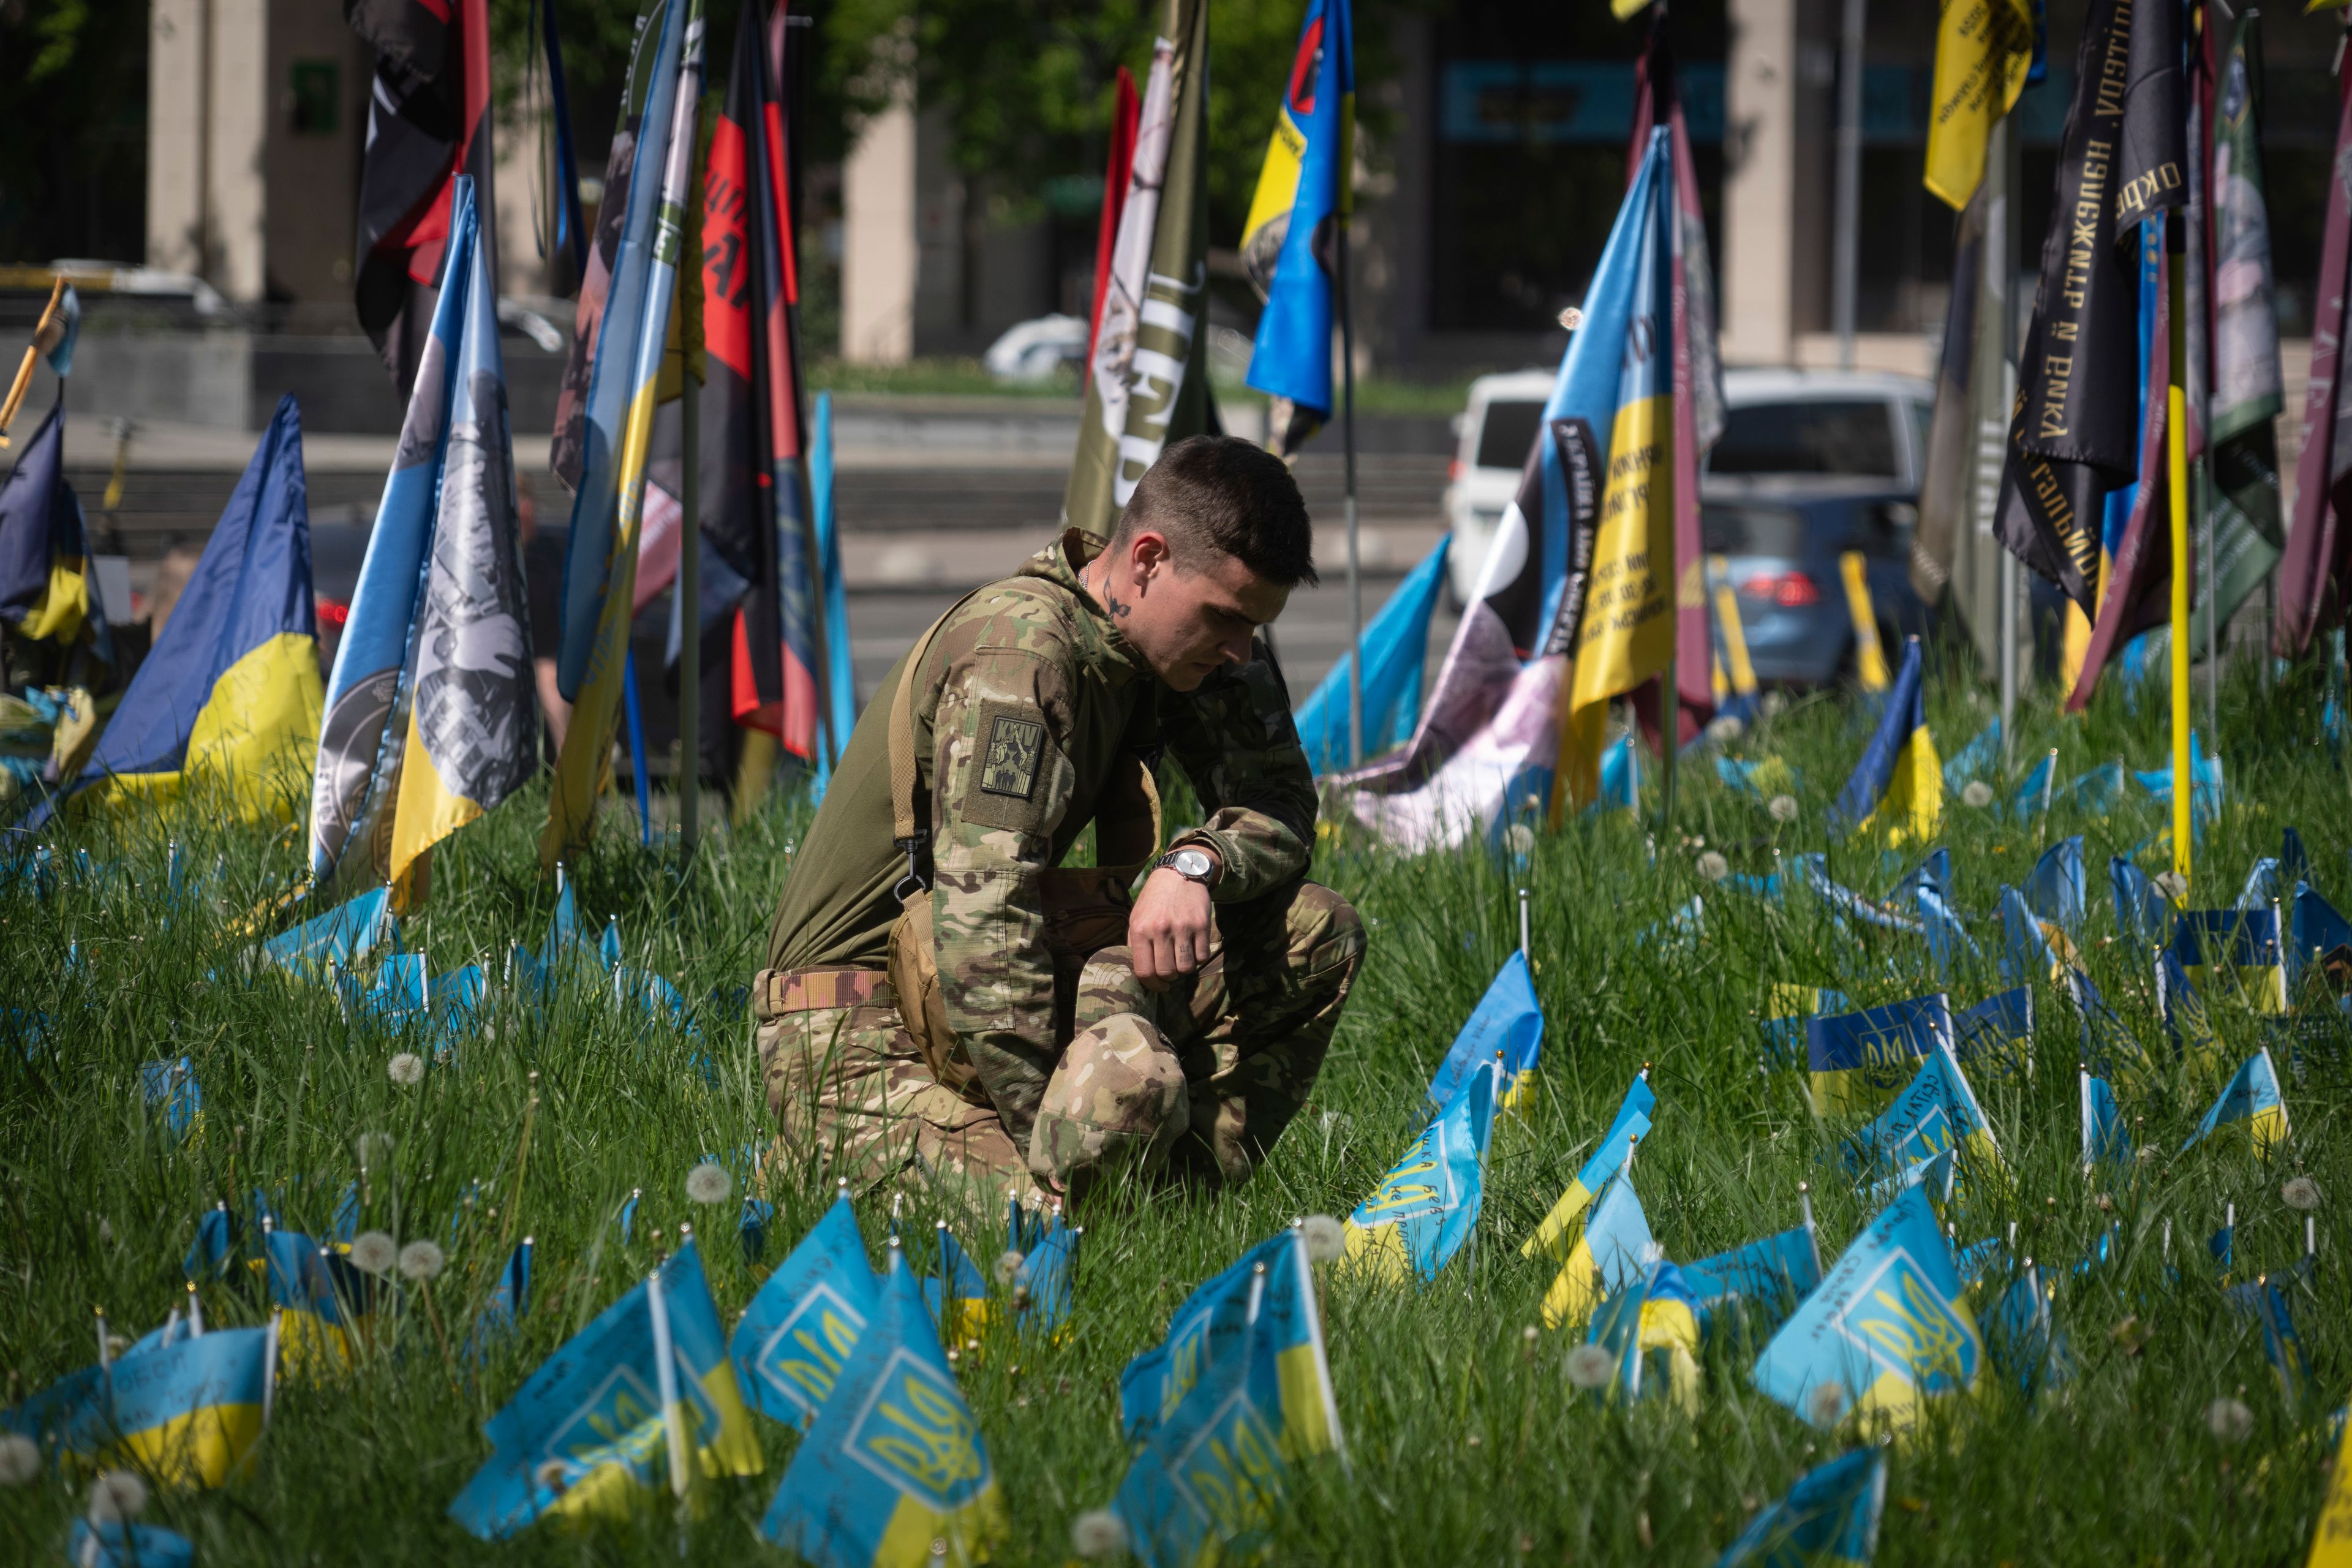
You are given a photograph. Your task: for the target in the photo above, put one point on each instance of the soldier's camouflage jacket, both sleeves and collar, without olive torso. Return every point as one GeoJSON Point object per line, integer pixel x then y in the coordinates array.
{"type": "Point", "coordinates": [1027, 706]}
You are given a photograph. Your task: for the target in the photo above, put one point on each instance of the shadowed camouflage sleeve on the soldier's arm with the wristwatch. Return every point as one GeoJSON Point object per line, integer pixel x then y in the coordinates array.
{"type": "Point", "coordinates": [1241, 749]}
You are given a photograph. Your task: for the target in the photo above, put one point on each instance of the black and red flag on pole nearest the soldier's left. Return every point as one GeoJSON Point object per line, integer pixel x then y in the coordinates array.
{"type": "Point", "coordinates": [756, 492]}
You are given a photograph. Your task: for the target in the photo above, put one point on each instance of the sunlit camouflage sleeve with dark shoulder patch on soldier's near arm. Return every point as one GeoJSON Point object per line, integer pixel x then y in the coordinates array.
{"type": "Point", "coordinates": [1003, 784]}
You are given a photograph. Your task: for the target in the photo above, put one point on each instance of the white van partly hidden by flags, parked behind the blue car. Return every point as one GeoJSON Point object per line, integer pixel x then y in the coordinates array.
{"type": "Point", "coordinates": [1777, 422]}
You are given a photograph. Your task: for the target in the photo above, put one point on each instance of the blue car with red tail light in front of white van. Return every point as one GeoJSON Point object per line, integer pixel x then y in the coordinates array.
{"type": "Point", "coordinates": [1782, 554]}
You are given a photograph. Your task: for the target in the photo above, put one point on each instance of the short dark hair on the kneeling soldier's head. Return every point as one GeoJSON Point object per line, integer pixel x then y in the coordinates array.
{"type": "Point", "coordinates": [1234, 497]}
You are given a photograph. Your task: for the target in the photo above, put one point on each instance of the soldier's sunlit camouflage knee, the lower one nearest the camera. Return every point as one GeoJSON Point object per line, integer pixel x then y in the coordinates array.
{"type": "Point", "coordinates": [1118, 1101]}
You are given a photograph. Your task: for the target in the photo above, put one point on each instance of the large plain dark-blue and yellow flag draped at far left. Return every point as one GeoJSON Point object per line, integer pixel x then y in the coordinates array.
{"type": "Point", "coordinates": [229, 695]}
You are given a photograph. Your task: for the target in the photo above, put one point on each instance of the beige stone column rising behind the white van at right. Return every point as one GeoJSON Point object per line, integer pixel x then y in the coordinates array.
{"type": "Point", "coordinates": [1760, 182]}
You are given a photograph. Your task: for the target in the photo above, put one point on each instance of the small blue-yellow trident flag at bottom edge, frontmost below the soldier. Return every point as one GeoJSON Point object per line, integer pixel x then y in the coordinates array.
{"type": "Point", "coordinates": [895, 1459]}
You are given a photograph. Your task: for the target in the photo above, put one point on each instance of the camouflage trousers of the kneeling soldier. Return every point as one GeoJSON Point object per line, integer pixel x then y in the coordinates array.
{"type": "Point", "coordinates": [1194, 1083]}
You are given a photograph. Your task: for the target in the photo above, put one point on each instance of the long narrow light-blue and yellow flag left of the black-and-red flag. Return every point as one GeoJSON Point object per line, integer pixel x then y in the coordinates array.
{"type": "Point", "coordinates": [601, 568]}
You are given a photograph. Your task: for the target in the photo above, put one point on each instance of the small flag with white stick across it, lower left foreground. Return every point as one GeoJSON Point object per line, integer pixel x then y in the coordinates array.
{"type": "Point", "coordinates": [596, 1426]}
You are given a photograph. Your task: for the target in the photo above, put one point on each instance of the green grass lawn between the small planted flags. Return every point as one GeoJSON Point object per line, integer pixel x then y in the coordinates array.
{"type": "Point", "coordinates": [1466, 1440]}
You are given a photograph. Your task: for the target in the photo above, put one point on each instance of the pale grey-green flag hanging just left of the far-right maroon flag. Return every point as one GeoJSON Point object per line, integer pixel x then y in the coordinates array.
{"type": "Point", "coordinates": [2243, 438]}
